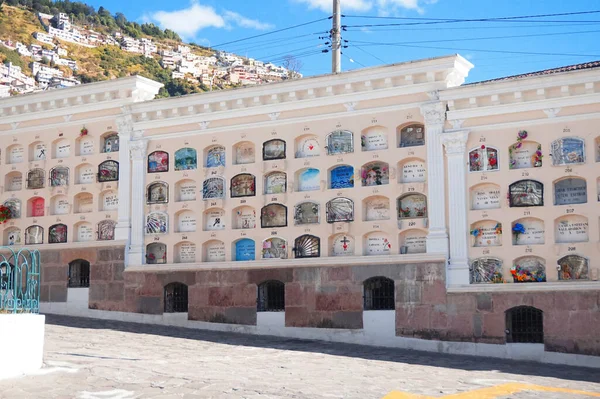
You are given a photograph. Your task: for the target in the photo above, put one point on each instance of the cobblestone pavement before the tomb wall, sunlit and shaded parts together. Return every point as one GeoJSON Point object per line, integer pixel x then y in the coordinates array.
{"type": "Point", "coordinates": [99, 359]}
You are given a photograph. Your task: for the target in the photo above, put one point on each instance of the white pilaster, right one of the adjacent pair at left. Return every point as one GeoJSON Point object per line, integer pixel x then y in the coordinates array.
{"type": "Point", "coordinates": [137, 149]}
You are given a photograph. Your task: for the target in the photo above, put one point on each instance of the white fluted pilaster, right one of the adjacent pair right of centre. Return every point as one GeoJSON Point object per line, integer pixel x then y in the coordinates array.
{"type": "Point", "coordinates": [458, 265]}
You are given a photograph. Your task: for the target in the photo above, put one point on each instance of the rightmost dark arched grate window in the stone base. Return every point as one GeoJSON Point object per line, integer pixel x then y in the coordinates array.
{"type": "Point", "coordinates": [525, 324]}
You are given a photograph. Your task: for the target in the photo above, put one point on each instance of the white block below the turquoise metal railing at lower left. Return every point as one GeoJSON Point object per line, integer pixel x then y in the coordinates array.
{"type": "Point", "coordinates": [22, 348]}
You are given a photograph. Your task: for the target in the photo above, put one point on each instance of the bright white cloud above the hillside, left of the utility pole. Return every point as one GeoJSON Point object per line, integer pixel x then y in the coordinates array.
{"type": "Point", "coordinates": [189, 21]}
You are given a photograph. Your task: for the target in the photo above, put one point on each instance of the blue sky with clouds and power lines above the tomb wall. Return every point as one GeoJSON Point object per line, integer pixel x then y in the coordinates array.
{"type": "Point", "coordinates": [572, 39]}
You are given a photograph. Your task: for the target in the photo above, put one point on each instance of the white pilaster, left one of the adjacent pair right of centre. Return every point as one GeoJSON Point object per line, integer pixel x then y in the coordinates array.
{"type": "Point", "coordinates": [437, 239]}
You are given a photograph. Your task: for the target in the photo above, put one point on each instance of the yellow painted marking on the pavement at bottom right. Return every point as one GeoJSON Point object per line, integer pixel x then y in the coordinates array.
{"type": "Point", "coordinates": [492, 392]}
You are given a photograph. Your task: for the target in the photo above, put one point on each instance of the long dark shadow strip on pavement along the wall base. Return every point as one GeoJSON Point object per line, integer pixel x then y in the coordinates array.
{"type": "Point", "coordinates": [468, 363]}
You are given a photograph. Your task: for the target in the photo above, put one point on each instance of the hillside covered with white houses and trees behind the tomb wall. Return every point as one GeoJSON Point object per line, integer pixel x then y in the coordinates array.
{"type": "Point", "coordinates": [41, 51]}
